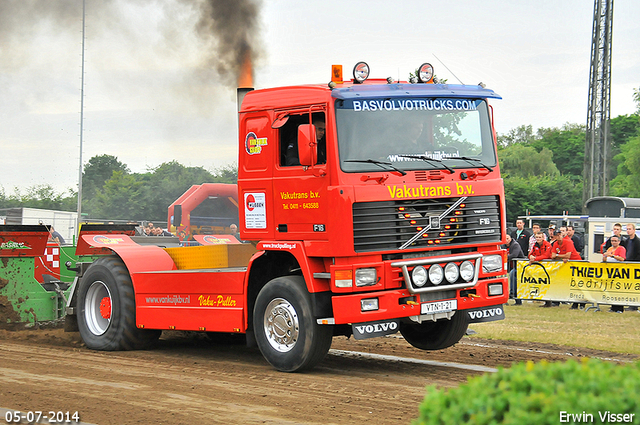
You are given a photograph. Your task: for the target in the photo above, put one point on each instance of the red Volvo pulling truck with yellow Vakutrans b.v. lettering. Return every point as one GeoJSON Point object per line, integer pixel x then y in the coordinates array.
{"type": "Point", "coordinates": [365, 207]}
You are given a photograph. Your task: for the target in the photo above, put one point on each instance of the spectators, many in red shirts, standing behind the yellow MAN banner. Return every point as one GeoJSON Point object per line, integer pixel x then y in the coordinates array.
{"type": "Point", "coordinates": [564, 244]}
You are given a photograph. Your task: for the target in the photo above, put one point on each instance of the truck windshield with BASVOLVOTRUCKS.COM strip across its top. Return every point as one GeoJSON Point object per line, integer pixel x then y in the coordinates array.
{"type": "Point", "coordinates": [414, 133]}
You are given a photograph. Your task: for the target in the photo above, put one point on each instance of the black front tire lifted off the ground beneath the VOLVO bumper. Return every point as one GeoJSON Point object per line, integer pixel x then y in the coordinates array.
{"type": "Point", "coordinates": [436, 335]}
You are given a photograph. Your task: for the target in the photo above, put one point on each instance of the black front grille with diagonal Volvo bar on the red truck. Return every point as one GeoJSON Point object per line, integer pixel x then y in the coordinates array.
{"type": "Point", "coordinates": [388, 225]}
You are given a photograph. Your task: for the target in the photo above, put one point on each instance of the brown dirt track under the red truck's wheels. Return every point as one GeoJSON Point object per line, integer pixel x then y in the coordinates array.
{"type": "Point", "coordinates": [188, 379]}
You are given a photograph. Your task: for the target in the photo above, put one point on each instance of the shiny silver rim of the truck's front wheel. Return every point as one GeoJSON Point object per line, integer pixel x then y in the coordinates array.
{"type": "Point", "coordinates": [281, 325]}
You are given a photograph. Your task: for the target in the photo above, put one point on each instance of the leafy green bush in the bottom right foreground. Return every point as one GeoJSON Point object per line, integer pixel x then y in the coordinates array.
{"type": "Point", "coordinates": [529, 393]}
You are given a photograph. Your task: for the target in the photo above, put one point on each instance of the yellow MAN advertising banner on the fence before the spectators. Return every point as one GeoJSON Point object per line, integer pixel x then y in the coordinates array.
{"type": "Point", "coordinates": [579, 281]}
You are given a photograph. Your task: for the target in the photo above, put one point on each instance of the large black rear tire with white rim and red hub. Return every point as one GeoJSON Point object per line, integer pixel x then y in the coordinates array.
{"type": "Point", "coordinates": [107, 283]}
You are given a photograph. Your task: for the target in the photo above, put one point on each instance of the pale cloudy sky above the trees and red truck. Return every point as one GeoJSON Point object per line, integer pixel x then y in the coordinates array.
{"type": "Point", "coordinates": [159, 74]}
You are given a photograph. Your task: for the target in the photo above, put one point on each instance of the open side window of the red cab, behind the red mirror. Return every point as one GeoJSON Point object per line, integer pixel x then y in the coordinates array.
{"type": "Point", "coordinates": [289, 138]}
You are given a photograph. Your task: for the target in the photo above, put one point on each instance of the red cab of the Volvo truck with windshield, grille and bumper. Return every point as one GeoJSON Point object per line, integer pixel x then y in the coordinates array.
{"type": "Point", "coordinates": [396, 211]}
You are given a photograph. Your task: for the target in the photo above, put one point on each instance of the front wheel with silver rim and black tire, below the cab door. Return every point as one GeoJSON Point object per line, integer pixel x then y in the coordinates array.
{"type": "Point", "coordinates": [298, 343]}
